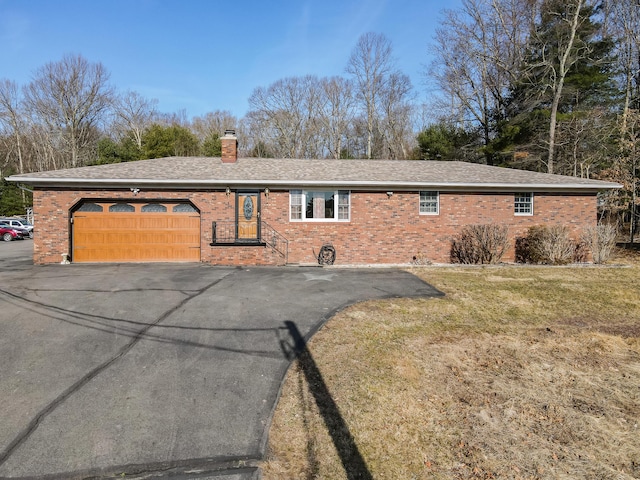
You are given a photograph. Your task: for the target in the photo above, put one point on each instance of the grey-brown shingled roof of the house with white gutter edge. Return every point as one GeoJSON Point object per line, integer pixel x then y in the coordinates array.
{"type": "Point", "coordinates": [211, 173]}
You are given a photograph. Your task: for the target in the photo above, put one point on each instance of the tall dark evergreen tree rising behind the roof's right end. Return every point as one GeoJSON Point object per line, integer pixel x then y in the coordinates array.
{"type": "Point", "coordinates": [567, 72]}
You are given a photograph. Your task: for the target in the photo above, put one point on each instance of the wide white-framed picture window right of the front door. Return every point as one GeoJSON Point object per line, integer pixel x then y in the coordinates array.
{"type": "Point", "coordinates": [319, 205]}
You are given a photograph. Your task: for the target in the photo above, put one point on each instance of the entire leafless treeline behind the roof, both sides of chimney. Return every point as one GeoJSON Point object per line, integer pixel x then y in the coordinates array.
{"type": "Point", "coordinates": [59, 119]}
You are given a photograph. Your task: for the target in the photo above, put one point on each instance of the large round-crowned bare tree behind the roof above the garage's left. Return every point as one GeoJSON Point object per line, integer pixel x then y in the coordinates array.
{"type": "Point", "coordinates": [71, 97]}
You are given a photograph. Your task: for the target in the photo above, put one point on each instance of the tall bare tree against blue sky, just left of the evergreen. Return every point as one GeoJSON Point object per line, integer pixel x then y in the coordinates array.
{"type": "Point", "coordinates": [478, 51]}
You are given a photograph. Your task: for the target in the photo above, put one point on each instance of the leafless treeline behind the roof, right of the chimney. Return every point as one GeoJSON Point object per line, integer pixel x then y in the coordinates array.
{"type": "Point", "coordinates": [366, 115]}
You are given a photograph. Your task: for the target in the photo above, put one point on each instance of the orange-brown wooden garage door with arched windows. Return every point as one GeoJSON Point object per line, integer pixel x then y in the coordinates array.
{"type": "Point", "coordinates": [136, 232]}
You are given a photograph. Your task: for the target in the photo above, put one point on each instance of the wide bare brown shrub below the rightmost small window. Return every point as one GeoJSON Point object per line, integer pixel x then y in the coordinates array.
{"type": "Point", "coordinates": [548, 245]}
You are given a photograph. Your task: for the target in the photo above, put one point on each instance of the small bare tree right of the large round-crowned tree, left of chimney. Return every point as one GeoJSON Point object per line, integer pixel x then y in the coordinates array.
{"type": "Point", "coordinates": [133, 114]}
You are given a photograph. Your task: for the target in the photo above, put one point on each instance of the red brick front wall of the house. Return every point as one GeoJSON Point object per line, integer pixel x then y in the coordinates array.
{"type": "Point", "coordinates": [382, 230]}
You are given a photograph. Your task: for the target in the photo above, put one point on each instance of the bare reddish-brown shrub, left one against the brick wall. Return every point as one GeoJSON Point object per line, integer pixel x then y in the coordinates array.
{"type": "Point", "coordinates": [483, 244]}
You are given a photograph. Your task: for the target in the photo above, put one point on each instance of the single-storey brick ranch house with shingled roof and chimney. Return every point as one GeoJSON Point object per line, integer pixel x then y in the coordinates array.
{"type": "Point", "coordinates": [258, 211]}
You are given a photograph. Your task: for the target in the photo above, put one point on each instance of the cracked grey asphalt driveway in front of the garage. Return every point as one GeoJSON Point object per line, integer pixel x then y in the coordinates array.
{"type": "Point", "coordinates": [158, 369]}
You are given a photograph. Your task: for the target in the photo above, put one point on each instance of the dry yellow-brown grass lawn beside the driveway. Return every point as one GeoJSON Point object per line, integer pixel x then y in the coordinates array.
{"type": "Point", "coordinates": [519, 372]}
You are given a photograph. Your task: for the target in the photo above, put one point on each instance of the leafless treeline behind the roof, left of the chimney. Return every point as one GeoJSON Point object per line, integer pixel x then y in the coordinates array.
{"type": "Point", "coordinates": [59, 118]}
